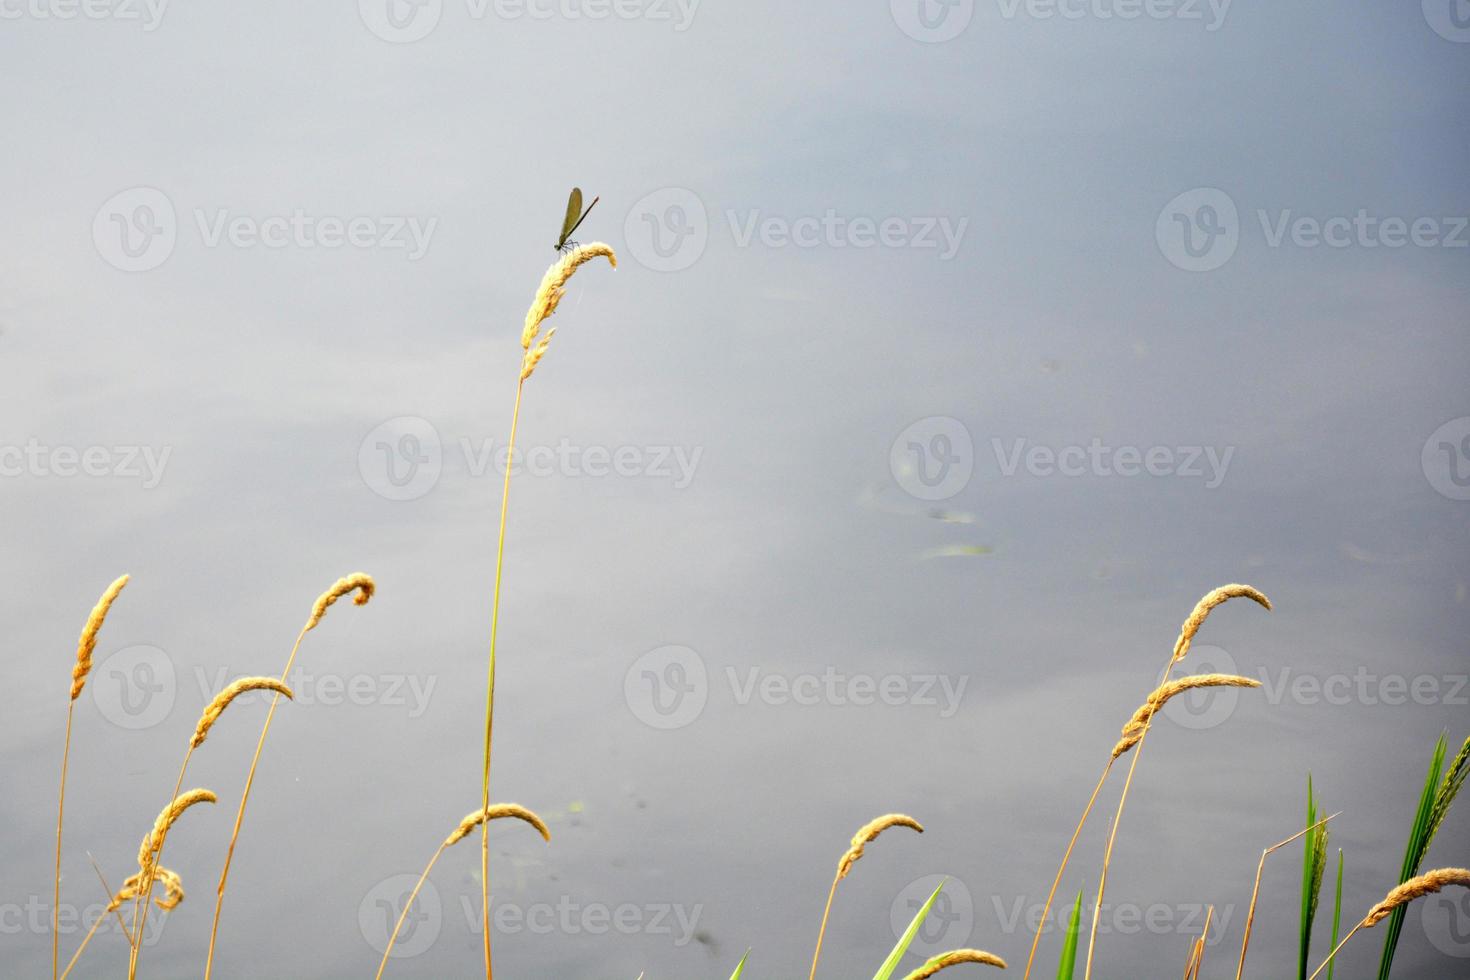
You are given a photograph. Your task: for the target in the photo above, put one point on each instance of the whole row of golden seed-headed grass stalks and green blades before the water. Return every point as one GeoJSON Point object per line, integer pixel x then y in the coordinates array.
{"type": "Point", "coordinates": [1440, 791]}
